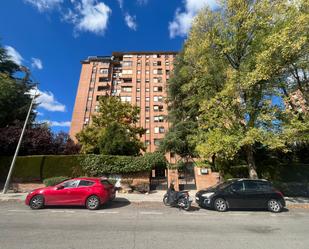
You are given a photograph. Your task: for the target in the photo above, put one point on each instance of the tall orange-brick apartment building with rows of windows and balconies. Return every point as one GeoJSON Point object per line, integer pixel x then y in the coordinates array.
{"type": "Point", "coordinates": [139, 78]}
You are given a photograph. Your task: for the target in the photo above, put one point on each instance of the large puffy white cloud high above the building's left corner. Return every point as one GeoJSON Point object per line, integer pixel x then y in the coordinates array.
{"type": "Point", "coordinates": [89, 15]}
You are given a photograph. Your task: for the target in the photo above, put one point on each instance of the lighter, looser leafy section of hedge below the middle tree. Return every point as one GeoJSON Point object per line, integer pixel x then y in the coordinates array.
{"type": "Point", "coordinates": [98, 165]}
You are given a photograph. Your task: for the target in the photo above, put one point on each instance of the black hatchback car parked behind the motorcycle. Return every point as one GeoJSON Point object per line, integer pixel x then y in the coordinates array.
{"type": "Point", "coordinates": [241, 194]}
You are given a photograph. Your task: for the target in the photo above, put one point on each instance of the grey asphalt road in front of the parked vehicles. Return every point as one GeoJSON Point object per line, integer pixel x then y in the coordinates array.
{"type": "Point", "coordinates": [148, 226]}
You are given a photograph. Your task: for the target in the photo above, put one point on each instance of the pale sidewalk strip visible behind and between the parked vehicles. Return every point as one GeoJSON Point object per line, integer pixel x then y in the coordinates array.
{"type": "Point", "coordinates": [157, 196]}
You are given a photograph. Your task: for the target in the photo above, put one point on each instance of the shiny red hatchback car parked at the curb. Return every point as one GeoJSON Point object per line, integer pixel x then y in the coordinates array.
{"type": "Point", "coordinates": [86, 191]}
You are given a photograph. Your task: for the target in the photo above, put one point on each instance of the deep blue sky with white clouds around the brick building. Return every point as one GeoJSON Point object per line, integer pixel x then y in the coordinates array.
{"type": "Point", "coordinates": [51, 37]}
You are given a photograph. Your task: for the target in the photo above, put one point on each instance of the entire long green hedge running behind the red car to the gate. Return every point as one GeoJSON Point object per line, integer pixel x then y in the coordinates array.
{"type": "Point", "coordinates": [37, 168]}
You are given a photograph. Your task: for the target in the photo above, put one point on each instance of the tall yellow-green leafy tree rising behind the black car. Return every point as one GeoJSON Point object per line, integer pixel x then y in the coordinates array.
{"type": "Point", "coordinates": [237, 60]}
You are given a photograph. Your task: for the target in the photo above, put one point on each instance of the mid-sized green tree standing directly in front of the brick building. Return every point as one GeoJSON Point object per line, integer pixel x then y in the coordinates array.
{"type": "Point", "coordinates": [113, 130]}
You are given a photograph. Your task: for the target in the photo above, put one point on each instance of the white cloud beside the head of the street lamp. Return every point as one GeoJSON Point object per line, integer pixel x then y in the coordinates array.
{"type": "Point", "coordinates": [46, 100]}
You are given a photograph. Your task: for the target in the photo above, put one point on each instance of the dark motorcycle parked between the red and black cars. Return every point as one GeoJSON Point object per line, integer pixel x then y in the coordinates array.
{"type": "Point", "coordinates": [179, 199]}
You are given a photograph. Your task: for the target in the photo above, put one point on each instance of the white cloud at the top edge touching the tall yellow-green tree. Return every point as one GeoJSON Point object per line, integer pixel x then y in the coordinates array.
{"type": "Point", "coordinates": [183, 20]}
